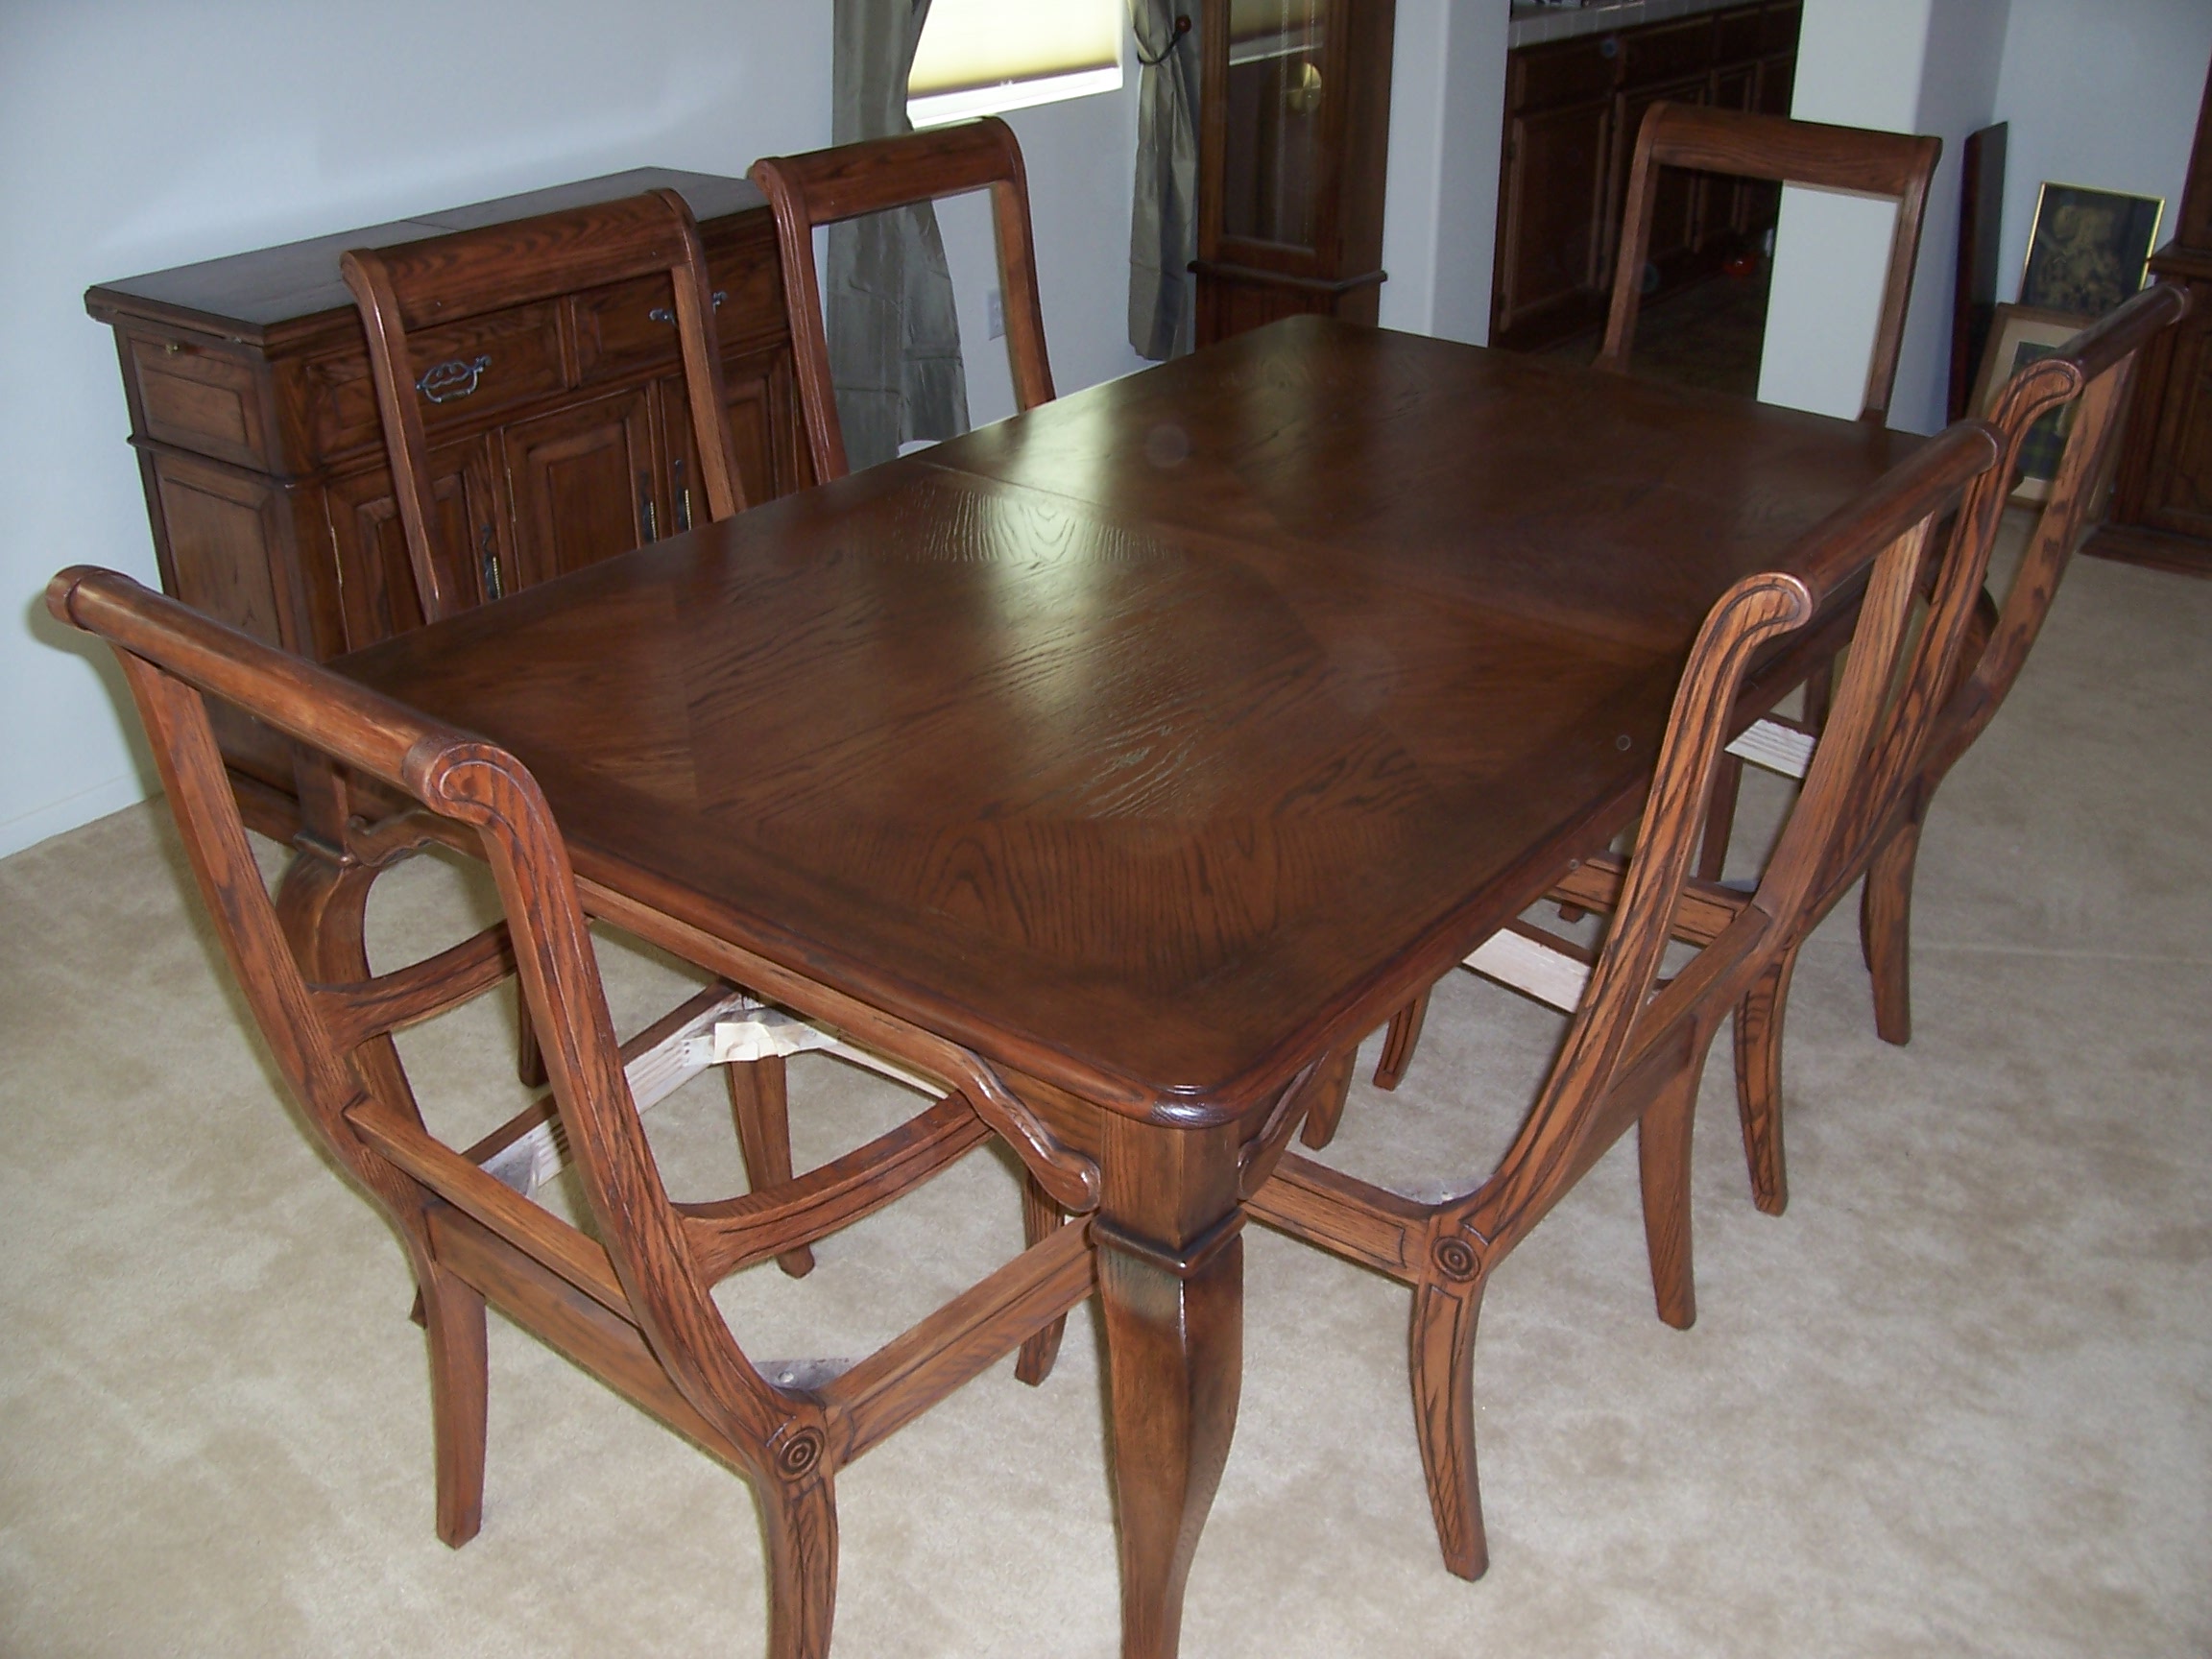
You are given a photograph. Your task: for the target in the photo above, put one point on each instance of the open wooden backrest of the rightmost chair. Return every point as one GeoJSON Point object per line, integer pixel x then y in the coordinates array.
{"type": "Point", "coordinates": [2094, 373]}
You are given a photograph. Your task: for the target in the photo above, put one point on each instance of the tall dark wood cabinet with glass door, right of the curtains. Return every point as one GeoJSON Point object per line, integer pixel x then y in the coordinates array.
{"type": "Point", "coordinates": [1293, 156]}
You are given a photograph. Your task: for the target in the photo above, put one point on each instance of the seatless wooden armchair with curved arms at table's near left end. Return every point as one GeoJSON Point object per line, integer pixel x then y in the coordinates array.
{"type": "Point", "coordinates": [632, 1300]}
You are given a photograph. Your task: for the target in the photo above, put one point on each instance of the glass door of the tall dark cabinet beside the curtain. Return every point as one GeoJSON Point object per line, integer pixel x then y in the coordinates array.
{"type": "Point", "coordinates": [1273, 165]}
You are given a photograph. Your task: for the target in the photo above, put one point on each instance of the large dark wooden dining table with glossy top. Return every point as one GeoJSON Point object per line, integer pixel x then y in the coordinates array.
{"type": "Point", "coordinates": [1151, 749]}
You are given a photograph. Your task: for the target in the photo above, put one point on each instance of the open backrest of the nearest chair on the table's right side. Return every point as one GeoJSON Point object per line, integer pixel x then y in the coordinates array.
{"type": "Point", "coordinates": [1627, 1043]}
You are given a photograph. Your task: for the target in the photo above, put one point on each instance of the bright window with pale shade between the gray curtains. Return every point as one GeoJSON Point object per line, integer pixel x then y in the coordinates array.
{"type": "Point", "coordinates": [988, 56]}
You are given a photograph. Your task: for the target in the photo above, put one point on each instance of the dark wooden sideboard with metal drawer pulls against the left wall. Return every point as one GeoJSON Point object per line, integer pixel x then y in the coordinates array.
{"type": "Point", "coordinates": [561, 432]}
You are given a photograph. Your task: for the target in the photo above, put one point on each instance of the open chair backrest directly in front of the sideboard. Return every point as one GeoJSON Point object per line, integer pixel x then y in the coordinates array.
{"type": "Point", "coordinates": [452, 280]}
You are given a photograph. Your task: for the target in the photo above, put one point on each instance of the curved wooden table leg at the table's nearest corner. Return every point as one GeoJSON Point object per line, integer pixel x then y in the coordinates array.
{"type": "Point", "coordinates": [1171, 1288]}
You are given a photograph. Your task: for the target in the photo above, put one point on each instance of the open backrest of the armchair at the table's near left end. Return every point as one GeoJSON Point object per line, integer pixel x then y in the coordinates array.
{"type": "Point", "coordinates": [333, 1041]}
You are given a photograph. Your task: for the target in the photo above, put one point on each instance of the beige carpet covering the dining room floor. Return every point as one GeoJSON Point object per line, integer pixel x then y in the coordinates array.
{"type": "Point", "coordinates": [1957, 1401]}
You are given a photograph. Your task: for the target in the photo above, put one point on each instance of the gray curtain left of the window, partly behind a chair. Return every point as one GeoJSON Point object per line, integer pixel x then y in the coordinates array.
{"type": "Point", "coordinates": [895, 342]}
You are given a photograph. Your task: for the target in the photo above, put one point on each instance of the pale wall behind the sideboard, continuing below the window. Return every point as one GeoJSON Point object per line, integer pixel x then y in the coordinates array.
{"type": "Point", "coordinates": [145, 134]}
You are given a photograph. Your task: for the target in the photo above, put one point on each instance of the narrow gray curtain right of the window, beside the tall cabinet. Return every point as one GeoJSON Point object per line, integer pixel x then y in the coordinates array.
{"type": "Point", "coordinates": [1165, 218]}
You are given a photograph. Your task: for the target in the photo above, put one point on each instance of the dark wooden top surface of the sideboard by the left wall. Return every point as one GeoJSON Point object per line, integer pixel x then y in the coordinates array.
{"type": "Point", "coordinates": [249, 295]}
